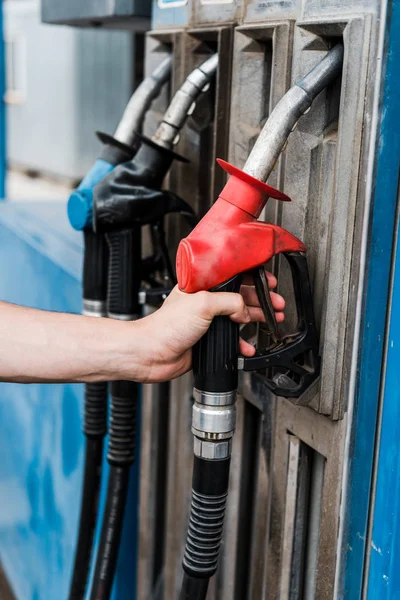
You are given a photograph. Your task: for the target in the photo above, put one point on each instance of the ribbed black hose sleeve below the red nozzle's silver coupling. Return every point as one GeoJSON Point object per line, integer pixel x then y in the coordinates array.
{"type": "Point", "coordinates": [207, 512]}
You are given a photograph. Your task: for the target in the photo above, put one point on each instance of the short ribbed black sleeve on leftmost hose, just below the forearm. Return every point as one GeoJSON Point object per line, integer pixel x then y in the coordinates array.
{"type": "Point", "coordinates": [95, 419]}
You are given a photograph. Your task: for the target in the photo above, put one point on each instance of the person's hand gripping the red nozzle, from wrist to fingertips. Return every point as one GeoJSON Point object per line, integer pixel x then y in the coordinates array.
{"type": "Point", "coordinates": [170, 333]}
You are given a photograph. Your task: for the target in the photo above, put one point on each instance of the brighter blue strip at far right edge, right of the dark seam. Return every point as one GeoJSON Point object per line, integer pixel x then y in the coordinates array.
{"type": "Point", "coordinates": [384, 574]}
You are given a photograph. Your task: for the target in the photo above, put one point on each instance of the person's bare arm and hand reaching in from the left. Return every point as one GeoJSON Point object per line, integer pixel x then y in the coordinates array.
{"type": "Point", "coordinates": [41, 346]}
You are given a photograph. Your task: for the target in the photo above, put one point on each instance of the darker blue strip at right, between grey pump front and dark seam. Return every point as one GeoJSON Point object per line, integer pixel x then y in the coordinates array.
{"type": "Point", "coordinates": [374, 314]}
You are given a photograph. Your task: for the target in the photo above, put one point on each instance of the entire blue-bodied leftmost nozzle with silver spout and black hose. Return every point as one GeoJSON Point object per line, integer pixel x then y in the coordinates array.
{"type": "Point", "coordinates": [117, 149]}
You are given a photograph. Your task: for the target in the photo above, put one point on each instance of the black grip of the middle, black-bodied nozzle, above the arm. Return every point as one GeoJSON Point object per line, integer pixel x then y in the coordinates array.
{"type": "Point", "coordinates": [124, 275]}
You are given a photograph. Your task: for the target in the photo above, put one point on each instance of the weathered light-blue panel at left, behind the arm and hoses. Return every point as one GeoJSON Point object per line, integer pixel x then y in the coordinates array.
{"type": "Point", "coordinates": [41, 445]}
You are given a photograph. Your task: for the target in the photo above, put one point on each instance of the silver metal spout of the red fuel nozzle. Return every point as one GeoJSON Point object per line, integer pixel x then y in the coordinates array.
{"type": "Point", "coordinates": [287, 112]}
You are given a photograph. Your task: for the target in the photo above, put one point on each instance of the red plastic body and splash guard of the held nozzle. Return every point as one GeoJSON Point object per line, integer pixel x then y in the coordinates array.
{"type": "Point", "coordinates": [229, 240]}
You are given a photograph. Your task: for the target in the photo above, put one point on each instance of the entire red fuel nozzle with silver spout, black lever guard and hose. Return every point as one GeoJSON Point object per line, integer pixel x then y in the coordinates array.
{"type": "Point", "coordinates": [228, 242]}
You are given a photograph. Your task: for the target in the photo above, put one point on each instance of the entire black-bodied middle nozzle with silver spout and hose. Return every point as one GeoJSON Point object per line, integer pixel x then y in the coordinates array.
{"type": "Point", "coordinates": [124, 201]}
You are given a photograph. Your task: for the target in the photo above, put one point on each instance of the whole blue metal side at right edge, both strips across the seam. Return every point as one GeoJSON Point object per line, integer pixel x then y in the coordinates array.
{"type": "Point", "coordinates": [367, 426]}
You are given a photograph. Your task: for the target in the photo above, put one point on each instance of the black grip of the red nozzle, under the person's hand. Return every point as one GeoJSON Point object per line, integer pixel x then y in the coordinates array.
{"type": "Point", "coordinates": [215, 355]}
